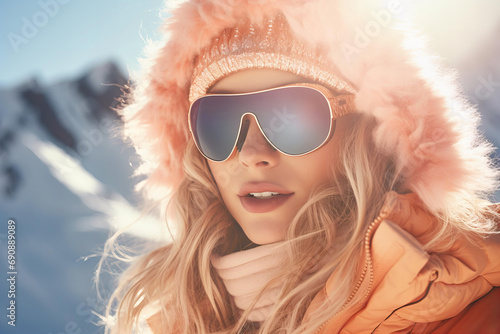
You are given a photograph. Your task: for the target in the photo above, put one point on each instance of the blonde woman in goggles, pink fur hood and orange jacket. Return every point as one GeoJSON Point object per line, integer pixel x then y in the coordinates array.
{"type": "Point", "coordinates": [318, 184]}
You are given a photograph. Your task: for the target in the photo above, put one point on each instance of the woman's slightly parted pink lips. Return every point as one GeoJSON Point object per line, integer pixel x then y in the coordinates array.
{"type": "Point", "coordinates": [254, 204]}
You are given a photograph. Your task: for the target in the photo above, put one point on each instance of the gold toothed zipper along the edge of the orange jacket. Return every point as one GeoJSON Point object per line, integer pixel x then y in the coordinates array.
{"type": "Point", "coordinates": [367, 268]}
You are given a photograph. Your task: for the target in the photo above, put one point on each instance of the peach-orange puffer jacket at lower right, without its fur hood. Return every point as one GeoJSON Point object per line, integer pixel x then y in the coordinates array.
{"type": "Point", "coordinates": [406, 289]}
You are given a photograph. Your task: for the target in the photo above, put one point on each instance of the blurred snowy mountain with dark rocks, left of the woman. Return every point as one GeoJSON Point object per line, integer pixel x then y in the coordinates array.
{"type": "Point", "coordinates": [65, 179]}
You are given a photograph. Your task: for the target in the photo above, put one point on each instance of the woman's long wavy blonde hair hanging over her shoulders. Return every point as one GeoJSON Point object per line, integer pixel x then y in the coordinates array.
{"type": "Point", "coordinates": [325, 236]}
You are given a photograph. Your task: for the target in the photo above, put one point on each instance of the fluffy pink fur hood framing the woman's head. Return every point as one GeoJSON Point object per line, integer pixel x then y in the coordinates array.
{"type": "Point", "coordinates": [423, 120]}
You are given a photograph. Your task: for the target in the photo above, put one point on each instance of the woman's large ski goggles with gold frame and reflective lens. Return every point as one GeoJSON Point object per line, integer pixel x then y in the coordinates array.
{"type": "Point", "coordinates": [295, 119]}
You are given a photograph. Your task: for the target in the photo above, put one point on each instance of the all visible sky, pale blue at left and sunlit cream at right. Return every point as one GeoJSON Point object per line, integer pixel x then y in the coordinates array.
{"type": "Point", "coordinates": [86, 32]}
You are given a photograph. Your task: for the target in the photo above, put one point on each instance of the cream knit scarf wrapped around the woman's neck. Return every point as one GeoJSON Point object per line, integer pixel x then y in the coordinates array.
{"type": "Point", "coordinates": [247, 272]}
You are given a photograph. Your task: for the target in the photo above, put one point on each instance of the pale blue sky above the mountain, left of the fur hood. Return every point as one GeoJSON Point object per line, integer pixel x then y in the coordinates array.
{"type": "Point", "coordinates": [81, 33]}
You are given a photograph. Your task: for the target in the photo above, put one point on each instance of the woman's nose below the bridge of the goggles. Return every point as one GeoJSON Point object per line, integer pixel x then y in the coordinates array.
{"type": "Point", "coordinates": [255, 149]}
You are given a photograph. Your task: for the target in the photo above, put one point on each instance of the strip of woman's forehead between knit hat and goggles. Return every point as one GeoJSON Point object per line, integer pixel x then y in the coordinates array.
{"type": "Point", "coordinates": [253, 80]}
